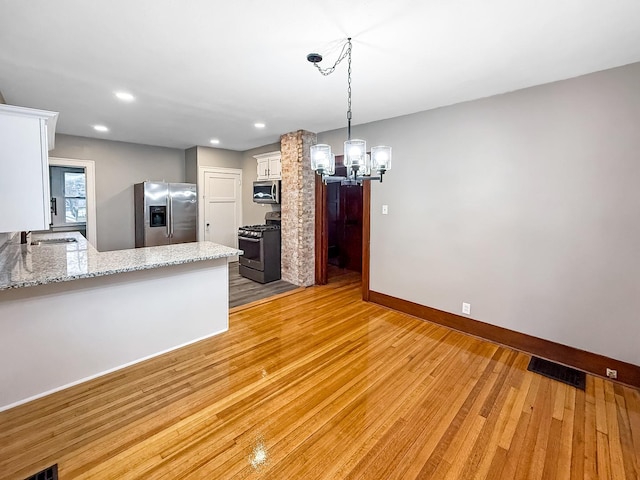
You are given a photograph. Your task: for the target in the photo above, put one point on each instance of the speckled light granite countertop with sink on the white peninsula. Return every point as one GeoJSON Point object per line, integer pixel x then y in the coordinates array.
{"type": "Point", "coordinates": [30, 265]}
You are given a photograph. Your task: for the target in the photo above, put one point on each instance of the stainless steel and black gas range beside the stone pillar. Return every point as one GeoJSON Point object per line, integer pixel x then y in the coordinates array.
{"type": "Point", "coordinates": [261, 244]}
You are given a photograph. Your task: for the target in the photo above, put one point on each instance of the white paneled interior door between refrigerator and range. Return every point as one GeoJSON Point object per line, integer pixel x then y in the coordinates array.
{"type": "Point", "coordinates": [222, 214]}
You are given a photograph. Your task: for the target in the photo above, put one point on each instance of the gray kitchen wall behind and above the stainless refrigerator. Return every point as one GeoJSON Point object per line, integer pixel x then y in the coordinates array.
{"type": "Point", "coordinates": [118, 166]}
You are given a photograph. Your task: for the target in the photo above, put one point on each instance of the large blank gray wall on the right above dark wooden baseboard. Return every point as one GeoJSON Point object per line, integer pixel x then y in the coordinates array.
{"type": "Point", "coordinates": [525, 205]}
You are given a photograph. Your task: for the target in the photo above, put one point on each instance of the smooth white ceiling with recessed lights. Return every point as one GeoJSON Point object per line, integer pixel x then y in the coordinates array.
{"type": "Point", "coordinates": [203, 68]}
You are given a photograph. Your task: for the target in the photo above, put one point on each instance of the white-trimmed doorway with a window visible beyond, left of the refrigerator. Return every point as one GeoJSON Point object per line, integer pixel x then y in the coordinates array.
{"type": "Point", "coordinates": [72, 203]}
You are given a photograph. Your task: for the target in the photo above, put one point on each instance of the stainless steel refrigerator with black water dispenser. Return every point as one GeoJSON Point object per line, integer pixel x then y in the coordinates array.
{"type": "Point", "coordinates": [165, 213]}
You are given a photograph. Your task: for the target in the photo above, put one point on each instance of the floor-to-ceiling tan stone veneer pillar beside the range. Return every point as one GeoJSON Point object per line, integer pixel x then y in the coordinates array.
{"type": "Point", "coordinates": [298, 208]}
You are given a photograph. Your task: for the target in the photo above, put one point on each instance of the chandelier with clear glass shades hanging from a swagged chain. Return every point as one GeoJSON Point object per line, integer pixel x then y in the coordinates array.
{"type": "Point", "coordinates": [358, 162]}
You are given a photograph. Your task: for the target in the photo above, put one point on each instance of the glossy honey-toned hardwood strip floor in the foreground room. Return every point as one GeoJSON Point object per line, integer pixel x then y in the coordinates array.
{"type": "Point", "coordinates": [319, 384]}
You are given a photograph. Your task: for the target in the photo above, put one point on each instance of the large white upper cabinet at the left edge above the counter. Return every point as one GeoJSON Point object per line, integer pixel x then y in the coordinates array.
{"type": "Point", "coordinates": [26, 136]}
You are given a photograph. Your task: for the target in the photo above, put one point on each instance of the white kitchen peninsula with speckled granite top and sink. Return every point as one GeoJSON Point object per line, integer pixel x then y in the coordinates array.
{"type": "Point", "coordinates": [69, 313]}
